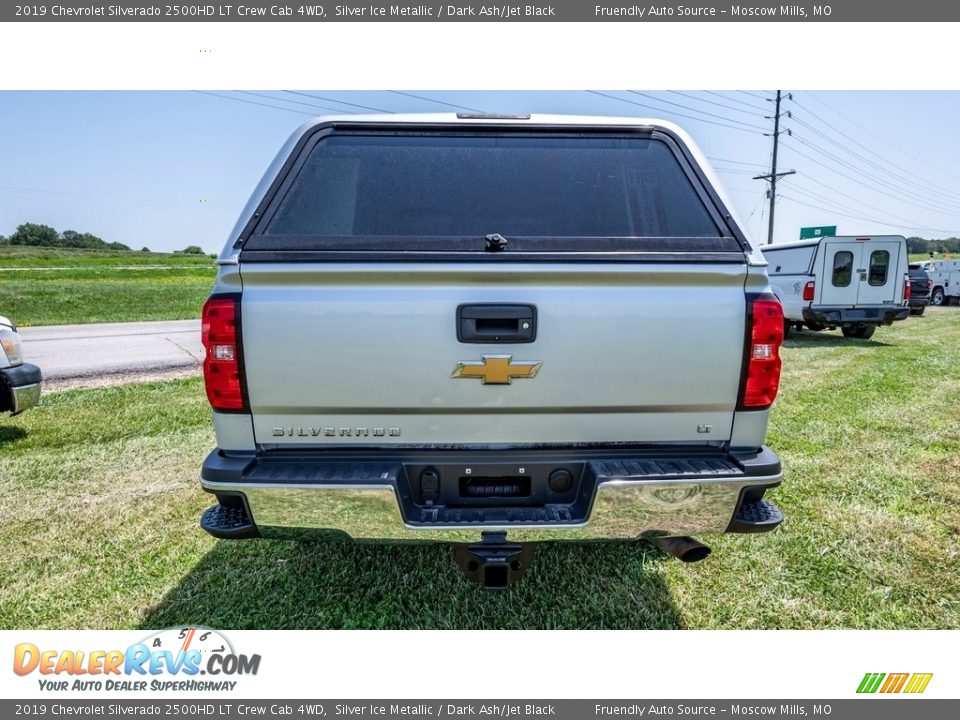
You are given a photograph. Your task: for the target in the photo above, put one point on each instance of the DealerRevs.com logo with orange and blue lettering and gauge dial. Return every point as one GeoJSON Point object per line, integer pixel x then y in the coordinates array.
{"type": "Point", "coordinates": [180, 659]}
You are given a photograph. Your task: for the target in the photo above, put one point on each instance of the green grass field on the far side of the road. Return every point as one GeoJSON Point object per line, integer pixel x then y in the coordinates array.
{"type": "Point", "coordinates": [52, 286]}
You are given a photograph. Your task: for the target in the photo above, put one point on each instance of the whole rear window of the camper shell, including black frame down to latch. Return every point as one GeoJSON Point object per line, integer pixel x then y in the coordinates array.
{"type": "Point", "coordinates": [366, 191]}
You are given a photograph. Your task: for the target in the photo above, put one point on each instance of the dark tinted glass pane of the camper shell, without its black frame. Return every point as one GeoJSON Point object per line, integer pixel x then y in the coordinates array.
{"type": "Point", "coordinates": [421, 186]}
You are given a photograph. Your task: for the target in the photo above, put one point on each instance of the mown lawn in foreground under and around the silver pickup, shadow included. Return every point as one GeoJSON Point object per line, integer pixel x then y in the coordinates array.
{"type": "Point", "coordinates": [99, 505]}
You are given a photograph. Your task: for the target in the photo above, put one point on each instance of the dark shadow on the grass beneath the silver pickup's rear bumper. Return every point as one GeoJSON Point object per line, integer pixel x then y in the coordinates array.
{"type": "Point", "coordinates": [271, 584]}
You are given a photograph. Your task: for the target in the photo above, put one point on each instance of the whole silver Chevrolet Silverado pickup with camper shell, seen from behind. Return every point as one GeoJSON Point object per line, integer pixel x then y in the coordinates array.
{"type": "Point", "coordinates": [491, 330]}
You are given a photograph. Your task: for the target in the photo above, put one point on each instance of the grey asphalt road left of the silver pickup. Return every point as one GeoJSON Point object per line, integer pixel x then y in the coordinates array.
{"type": "Point", "coordinates": [69, 352]}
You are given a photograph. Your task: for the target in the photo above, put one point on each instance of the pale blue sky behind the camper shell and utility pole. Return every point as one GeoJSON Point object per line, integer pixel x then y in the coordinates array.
{"type": "Point", "coordinates": [170, 169]}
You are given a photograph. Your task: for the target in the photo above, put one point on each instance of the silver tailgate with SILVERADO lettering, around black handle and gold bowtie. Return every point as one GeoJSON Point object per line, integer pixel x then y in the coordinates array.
{"type": "Point", "coordinates": [352, 354]}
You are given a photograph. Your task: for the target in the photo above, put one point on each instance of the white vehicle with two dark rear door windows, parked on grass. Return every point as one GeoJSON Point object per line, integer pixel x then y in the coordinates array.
{"type": "Point", "coordinates": [854, 283]}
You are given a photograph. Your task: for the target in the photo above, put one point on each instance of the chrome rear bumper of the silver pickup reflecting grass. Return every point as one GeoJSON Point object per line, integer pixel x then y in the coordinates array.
{"type": "Point", "coordinates": [379, 506]}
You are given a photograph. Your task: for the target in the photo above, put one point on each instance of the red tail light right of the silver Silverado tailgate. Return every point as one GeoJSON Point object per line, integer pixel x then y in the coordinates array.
{"type": "Point", "coordinates": [765, 335]}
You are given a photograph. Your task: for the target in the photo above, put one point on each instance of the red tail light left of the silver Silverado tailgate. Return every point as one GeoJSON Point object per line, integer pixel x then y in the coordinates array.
{"type": "Point", "coordinates": [221, 366]}
